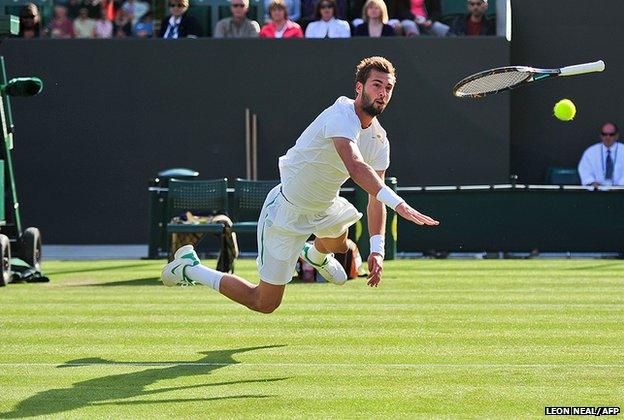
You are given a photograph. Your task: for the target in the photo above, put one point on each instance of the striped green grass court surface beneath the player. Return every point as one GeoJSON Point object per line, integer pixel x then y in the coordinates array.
{"type": "Point", "coordinates": [437, 338]}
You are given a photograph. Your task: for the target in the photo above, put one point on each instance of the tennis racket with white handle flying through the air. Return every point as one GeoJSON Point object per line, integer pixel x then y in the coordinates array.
{"type": "Point", "coordinates": [492, 81]}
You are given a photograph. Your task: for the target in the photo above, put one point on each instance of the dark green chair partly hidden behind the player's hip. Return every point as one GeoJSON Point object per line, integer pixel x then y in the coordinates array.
{"type": "Point", "coordinates": [249, 197]}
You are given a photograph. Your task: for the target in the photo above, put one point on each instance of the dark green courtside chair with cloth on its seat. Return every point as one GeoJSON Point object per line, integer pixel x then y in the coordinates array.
{"type": "Point", "coordinates": [198, 197]}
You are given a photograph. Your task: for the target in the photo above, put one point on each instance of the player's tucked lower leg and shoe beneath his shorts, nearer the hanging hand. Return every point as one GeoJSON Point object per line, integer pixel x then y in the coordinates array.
{"type": "Point", "coordinates": [320, 257]}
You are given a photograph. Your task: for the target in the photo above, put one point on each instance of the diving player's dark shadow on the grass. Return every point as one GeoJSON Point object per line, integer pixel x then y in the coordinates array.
{"type": "Point", "coordinates": [99, 391]}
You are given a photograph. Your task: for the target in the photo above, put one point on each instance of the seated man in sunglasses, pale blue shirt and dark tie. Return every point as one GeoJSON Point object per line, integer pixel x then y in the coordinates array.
{"type": "Point", "coordinates": [603, 163]}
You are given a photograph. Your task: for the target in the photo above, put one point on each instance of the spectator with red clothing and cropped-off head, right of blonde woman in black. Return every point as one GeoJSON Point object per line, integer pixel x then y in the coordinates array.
{"type": "Point", "coordinates": [415, 17]}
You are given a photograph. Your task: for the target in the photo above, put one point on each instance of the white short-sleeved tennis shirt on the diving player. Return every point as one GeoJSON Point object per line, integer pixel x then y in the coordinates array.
{"type": "Point", "coordinates": [312, 172]}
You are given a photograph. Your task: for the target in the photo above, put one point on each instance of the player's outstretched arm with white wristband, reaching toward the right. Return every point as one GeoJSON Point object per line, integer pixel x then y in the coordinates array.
{"type": "Point", "coordinates": [364, 175]}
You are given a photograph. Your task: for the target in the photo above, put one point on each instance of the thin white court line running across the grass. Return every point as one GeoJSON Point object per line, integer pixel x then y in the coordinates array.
{"type": "Point", "coordinates": [321, 365]}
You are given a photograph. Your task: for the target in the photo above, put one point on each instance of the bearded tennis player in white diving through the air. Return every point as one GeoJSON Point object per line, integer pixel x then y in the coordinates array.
{"type": "Point", "coordinates": [345, 140]}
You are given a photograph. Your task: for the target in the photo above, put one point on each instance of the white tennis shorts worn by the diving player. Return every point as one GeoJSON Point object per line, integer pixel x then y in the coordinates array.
{"type": "Point", "coordinates": [283, 229]}
